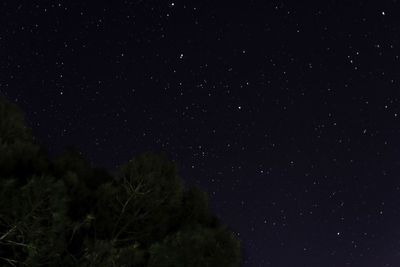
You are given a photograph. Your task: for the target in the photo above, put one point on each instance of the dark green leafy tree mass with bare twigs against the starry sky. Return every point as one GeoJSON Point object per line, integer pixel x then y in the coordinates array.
{"type": "Point", "coordinates": [65, 212]}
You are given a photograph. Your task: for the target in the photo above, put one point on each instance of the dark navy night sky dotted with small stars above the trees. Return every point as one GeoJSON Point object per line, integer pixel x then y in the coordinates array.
{"type": "Point", "coordinates": [287, 114]}
